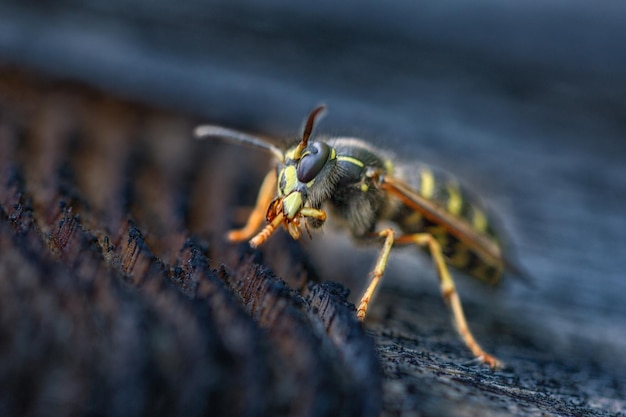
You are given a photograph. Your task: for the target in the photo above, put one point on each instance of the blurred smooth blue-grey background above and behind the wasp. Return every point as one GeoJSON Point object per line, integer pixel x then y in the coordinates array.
{"type": "Point", "coordinates": [525, 102]}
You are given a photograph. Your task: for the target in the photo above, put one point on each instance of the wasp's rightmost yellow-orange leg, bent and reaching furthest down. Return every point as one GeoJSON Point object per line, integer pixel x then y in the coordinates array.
{"type": "Point", "coordinates": [450, 295]}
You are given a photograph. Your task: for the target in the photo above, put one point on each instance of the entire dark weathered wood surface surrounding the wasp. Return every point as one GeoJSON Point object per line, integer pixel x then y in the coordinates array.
{"type": "Point", "coordinates": [527, 111]}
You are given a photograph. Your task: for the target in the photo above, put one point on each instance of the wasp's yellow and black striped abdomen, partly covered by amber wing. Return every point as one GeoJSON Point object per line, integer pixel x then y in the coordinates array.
{"type": "Point", "coordinates": [462, 208]}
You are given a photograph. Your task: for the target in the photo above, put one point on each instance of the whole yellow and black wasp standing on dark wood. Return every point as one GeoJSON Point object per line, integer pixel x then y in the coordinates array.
{"type": "Point", "coordinates": [361, 186]}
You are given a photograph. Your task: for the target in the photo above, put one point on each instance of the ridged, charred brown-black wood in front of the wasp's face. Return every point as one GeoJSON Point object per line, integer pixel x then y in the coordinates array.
{"type": "Point", "coordinates": [118, 295]}
